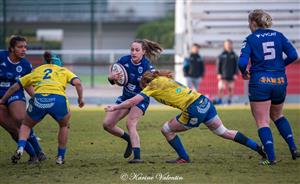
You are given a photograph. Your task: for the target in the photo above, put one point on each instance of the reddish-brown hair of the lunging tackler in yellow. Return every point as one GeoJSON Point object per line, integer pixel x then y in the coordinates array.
{"type": "Point", "coordinates": [149, 76]}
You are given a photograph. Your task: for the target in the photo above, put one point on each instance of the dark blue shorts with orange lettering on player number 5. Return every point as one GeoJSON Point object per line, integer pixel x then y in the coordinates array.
{"type": "Point", "coordinates": [265, 86]}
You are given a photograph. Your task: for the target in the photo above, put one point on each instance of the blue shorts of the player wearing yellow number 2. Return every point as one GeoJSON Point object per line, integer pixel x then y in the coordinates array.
{"type": "Point", "coordinates": [40, 105]}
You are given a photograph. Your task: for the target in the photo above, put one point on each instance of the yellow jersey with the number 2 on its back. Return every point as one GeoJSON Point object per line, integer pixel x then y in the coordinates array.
{"type": "Point", "coordinates": [48, 79]}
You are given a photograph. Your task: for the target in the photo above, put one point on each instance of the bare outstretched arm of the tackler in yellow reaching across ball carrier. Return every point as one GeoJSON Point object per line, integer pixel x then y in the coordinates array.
{"type": "Point", "coordinates": [126, 104]}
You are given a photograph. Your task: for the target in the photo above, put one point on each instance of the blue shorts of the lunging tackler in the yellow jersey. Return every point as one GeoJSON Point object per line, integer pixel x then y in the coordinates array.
{"type": "Point", "coordinates": [201, 110]}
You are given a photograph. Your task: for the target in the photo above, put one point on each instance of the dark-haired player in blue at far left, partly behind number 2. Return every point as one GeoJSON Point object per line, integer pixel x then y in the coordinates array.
{"type": "Point", "coordinates": [13, 65]}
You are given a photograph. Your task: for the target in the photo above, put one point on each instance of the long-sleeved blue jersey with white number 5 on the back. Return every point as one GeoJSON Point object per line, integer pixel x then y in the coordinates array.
{"type": "Point", "coordinates": [265, 47]}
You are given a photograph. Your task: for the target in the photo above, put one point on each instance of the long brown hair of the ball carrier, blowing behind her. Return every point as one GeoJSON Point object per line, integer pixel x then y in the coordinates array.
{"type": "Point", "coordinates": [152, 49]}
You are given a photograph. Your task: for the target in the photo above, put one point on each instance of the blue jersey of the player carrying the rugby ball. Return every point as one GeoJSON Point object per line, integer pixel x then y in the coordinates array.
{"type": "Point", "coordinates": [135, 73]}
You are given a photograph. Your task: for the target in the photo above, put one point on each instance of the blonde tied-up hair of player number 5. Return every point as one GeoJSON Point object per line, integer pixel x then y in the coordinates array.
{"type": "Point", "coordinates": [261, 18]}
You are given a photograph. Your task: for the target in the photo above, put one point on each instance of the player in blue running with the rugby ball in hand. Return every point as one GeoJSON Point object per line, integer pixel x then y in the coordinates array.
{"type": "Point", "coordinates": [136, 64]}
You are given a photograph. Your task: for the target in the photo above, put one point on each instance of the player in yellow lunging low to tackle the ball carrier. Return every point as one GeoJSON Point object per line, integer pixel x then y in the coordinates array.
{"type": "Point", "coordinates": [196, 108]}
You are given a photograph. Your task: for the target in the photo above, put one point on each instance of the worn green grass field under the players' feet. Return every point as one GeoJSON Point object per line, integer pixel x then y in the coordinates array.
{"type": "Point", "coordinates": [94, 156]}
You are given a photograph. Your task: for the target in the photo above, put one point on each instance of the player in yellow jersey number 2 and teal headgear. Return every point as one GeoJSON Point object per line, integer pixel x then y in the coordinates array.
{"type": "Point", "coordinates": [49, 82]}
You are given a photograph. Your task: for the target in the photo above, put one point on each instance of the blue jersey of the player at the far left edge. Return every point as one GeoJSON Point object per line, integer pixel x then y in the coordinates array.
{"type": "Point", "coordinates": [10, 72]}
